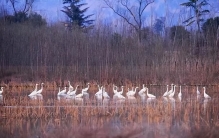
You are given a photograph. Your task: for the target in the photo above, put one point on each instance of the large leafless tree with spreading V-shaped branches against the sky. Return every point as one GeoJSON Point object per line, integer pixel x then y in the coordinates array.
{"type": "Point", "coordinates": [131, 11]}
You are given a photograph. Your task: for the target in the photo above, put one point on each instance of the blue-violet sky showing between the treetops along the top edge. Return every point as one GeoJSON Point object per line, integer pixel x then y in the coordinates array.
{"type": "Point", "coordinates": [51, 10]}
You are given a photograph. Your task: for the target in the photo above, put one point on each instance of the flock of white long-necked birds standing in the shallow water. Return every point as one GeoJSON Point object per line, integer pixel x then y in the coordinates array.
{"type": "Point", "coordinates": [101, 93]}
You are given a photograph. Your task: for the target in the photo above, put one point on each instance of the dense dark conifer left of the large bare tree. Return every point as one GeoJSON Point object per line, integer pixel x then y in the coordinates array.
{"type": "Point", "coordinates": [75, 14]}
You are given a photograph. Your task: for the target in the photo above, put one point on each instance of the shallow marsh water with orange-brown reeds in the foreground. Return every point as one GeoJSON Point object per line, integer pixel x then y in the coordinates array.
{"type": "Point", "coordinates": [49, 115]}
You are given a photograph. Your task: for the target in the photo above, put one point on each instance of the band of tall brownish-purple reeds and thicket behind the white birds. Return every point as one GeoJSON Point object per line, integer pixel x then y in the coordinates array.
{"type": "Point", "coordinates": [51, 53]}
